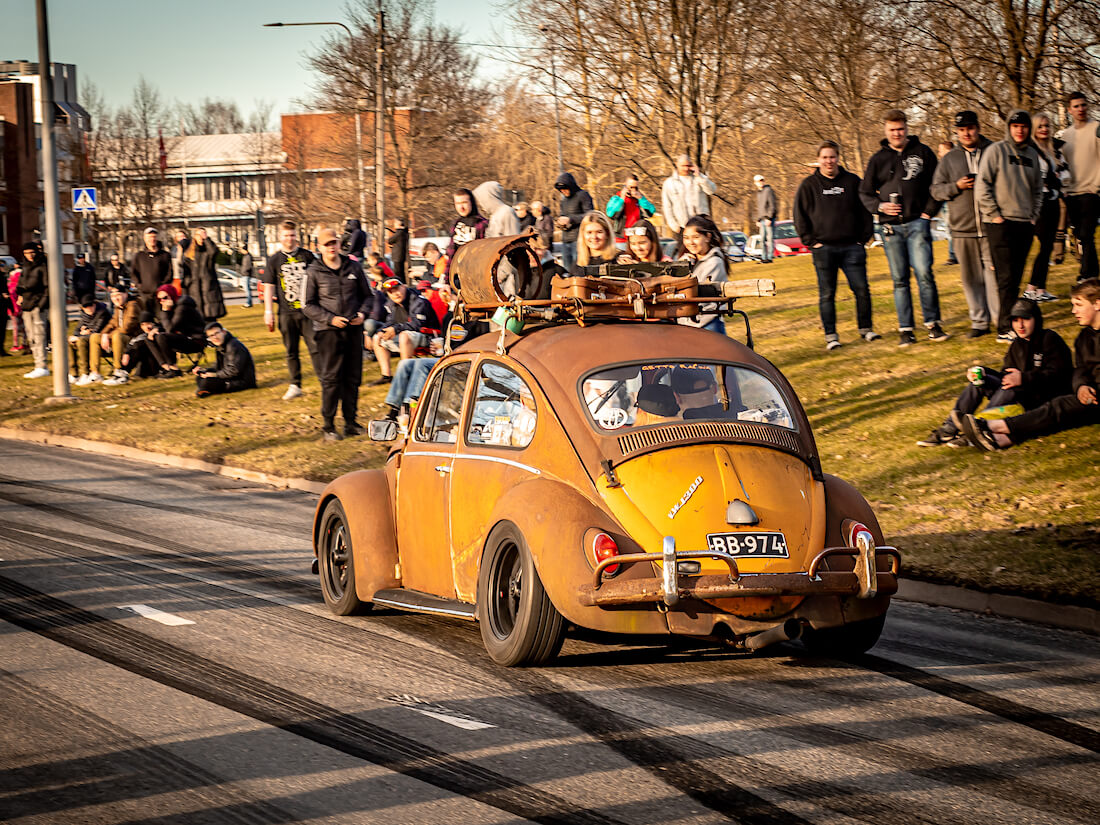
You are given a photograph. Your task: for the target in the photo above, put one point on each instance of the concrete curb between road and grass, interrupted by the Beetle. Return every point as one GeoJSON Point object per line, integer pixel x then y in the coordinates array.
{"type": "Point", "coordinates": [909, 590]}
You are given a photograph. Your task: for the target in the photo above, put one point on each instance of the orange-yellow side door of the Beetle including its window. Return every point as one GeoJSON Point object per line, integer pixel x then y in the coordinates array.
{"type": "Point", "coordinates": [424, 485]}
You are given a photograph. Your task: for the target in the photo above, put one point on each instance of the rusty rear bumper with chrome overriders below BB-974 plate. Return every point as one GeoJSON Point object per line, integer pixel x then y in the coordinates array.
{"type": "Point", "coordinates": [864, 581]}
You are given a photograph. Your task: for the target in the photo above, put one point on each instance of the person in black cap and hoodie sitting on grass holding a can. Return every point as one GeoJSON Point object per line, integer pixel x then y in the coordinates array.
{"type": "Point", "coordinates": [1038, 368]}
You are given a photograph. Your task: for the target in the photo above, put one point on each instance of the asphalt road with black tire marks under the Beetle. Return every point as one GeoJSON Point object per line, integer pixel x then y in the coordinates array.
{"type": "Point", "coordinates": [266, 709]}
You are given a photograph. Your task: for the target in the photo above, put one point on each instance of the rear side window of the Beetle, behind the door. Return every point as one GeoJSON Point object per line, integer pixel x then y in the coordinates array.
{"type": "Point", "coordinates": [504, 413]}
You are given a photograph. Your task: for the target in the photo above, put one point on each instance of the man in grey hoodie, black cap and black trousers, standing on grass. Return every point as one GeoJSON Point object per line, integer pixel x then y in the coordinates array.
{"type": "Point", "coordinates": [1010, 196]}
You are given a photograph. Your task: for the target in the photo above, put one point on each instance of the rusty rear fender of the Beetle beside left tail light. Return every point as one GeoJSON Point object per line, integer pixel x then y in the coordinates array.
{"type": "Point", "coordinates": [554, 518]}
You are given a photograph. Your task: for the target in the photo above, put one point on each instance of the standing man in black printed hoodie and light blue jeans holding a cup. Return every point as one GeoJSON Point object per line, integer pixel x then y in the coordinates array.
{"type": "Point", "coordinates": [897, 188]}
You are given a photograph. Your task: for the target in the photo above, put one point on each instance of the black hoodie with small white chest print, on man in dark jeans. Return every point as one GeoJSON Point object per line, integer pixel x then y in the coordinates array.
{"type": "Point", "coordinates": [830, 211]}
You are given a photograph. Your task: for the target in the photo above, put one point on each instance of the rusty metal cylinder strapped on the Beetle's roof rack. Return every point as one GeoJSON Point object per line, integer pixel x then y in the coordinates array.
{"type": "Point", "coordinates": [498, 270]}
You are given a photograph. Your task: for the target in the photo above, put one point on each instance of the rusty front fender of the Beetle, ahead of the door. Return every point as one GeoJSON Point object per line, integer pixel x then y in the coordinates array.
{"type": "Point", "coordinates": [366, 497]}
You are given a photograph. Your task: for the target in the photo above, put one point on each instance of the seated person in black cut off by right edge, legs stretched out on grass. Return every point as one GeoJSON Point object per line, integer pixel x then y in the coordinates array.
{"type": "Point", "coordinates": [1080, 409]}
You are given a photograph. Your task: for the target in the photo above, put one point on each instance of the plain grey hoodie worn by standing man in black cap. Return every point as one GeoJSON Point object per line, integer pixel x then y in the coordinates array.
{"type": "Point", "coordinates": [1010, 181]}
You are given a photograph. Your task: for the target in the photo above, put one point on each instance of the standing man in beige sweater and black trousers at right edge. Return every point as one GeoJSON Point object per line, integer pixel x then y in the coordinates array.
{"type": "Point", "coordinates": [1083, 196]}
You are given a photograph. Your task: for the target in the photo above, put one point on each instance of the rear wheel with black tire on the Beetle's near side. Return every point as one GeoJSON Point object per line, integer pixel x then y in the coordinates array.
{"type": "Point", "coordinates": [519, 623]}
